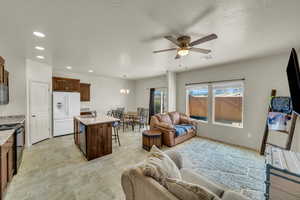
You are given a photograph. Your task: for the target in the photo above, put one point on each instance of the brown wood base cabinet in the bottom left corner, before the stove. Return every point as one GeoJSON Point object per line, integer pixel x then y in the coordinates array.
{"type": "Point", "coordinates": [6, 165]}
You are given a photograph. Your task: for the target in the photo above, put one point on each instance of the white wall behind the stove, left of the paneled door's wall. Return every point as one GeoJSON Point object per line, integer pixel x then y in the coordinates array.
{"type": "Point", "coordinates": [15, 65]}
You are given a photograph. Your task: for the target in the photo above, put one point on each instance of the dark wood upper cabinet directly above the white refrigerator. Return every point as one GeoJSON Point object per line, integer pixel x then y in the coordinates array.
{"type": "Point", "coordinates": [65, 84]}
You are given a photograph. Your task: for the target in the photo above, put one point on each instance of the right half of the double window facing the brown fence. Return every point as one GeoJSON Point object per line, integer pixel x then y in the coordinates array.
{"type": "Point", "coordinates": [228, 103]}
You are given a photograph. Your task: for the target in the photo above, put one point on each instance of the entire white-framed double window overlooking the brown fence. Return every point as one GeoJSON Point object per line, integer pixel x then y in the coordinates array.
{"type": "Point", "coordinates": [220, 103]}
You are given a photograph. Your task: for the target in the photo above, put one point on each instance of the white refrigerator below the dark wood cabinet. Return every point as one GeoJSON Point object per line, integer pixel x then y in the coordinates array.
{"type": "Point", "coordinates": [66, 105]}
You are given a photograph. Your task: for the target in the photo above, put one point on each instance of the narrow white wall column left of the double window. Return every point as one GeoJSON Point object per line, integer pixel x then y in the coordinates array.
{"type": "Point", "coordinates": [171, 78]}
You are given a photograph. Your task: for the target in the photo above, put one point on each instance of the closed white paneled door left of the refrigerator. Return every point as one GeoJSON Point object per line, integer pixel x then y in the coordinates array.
{"type": "Point", "coordinates": [39, 111]}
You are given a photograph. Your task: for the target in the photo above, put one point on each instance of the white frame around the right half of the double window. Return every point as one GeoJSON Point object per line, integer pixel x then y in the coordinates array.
{"type": "Point", "coordinates": [213, 104]}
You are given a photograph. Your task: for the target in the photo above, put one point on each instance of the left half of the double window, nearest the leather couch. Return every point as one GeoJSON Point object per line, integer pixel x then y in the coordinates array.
{"type": "Point", "coordinates": [197, 102]}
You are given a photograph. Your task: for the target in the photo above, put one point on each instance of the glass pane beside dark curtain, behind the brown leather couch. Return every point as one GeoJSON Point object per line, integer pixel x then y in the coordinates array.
{"type": "Point", "coordinates": [160, 100]}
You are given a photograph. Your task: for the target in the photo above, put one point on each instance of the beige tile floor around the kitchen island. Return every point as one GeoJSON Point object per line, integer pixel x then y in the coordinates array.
{"type": "Point", "coordinates": [55, 169]}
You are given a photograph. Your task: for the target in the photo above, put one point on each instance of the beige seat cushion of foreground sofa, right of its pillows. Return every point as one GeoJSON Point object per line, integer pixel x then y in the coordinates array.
{"type": "Point", "coordinates": [192, 177]}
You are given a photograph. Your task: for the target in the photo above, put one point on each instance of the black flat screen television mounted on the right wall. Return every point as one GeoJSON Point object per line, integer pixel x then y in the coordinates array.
{"type": "Point", "coordinates": [293, 74]}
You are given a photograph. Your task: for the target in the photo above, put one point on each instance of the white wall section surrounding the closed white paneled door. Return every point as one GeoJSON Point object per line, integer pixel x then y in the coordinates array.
{"type": "Point", "coordinates": [36, 71]}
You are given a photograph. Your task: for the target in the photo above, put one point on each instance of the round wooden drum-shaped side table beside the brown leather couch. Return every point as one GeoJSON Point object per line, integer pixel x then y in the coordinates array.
{"type": "Point", "coordinates": [150, 138]}
